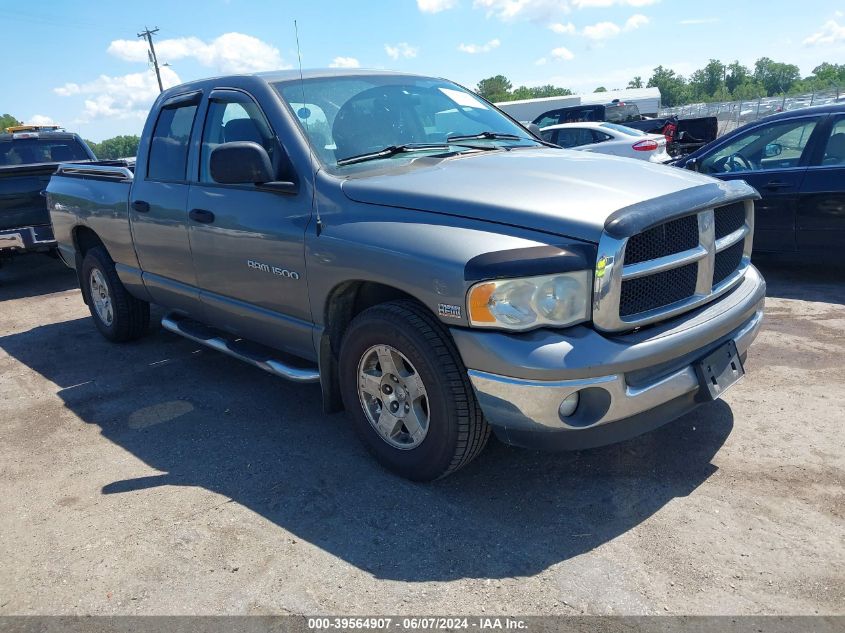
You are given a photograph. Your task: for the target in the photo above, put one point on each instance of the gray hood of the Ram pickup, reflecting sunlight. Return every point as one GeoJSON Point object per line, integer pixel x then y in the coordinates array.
{"type": "Point", "coordinates": [564, 192]}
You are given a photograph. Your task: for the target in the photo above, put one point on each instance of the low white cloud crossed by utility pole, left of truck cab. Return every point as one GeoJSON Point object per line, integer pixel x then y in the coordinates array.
{"type": "Point", "coordinates": [122, 97]}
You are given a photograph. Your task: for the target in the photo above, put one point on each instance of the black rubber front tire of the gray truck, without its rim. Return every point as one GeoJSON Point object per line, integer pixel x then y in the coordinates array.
{"type": "Point", "coordinates": [457, 431]}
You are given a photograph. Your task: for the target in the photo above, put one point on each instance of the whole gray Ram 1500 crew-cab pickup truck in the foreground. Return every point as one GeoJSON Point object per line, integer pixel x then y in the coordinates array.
{"type": "Point", "coordinates": [436, 268]}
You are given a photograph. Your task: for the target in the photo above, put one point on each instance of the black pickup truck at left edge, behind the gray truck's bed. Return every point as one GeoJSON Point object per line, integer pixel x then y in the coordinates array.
{"type": "Point", "coordinates": [28, 156]}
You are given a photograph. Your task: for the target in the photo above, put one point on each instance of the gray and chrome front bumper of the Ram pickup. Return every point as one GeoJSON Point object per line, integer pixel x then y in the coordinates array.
{"type": "Point", "coordinates": [627, 384]}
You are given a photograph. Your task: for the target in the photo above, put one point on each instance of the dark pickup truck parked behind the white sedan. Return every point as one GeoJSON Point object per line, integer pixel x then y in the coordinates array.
{"type": "Point", "coordinates": [682, 135]}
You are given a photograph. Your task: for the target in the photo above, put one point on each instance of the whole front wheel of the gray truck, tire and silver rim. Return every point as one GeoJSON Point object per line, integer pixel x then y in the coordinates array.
{"type": "Point", "coordinates": [408, 392]}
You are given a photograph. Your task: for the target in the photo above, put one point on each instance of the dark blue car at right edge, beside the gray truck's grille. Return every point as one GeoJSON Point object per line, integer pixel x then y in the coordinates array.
{"type": "Point", "coordinates": [796, 160]}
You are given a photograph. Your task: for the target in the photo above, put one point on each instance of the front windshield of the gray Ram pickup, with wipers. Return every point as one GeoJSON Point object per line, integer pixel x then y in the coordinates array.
{"type": "Point", "coordinates": [355, 116]}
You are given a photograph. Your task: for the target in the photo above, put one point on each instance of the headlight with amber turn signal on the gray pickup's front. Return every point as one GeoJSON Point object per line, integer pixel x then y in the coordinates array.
{"type": "Point", "coordinates": [530, 302]}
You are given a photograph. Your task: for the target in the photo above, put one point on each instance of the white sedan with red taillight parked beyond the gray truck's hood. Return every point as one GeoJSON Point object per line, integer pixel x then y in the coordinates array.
{"type": "Point", "coordinates": [609, 138]}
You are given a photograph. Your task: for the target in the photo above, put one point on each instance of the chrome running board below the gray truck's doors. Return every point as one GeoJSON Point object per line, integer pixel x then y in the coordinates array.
{"type": "Point", "coordinates": [238, 348]}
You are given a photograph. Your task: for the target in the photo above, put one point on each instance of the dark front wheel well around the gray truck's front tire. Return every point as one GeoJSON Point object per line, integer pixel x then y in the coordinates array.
{"type": "Point", "coordinates": [344, 303]}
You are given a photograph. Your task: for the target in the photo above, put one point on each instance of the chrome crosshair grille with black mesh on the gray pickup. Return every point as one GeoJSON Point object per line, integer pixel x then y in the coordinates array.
{"type": "Point", "coordinates": [672, 267]}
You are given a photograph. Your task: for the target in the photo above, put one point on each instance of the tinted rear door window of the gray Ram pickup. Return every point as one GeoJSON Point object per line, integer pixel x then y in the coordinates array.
{"type": "Point", "coordinates": [169, 146]}
